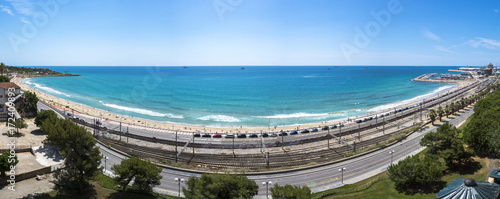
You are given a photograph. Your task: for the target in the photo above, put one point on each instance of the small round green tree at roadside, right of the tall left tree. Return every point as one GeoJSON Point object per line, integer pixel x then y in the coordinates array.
{"type": "Point", "coordinates": [146, 174]}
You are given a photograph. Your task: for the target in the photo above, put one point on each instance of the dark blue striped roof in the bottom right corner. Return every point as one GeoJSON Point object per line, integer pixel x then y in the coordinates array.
{"type": "Point", "coordinates": [477, 190]}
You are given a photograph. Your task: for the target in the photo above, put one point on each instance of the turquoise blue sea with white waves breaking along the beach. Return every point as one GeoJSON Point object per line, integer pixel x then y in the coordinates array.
{"type": "Point", "coordinates": [230, 96]}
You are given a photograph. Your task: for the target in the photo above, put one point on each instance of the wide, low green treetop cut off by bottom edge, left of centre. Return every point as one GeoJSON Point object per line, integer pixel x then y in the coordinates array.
{"type": "Point", "coordinates": [214, 186]}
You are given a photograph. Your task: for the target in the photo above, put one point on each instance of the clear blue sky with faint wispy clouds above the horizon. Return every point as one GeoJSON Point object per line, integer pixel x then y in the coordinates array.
{"type": "Point", "coordinates": [249, 32]}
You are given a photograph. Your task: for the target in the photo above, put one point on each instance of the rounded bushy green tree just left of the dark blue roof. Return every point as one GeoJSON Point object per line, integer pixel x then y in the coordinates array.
{"type": "Point", "coordinates": [414, 174]}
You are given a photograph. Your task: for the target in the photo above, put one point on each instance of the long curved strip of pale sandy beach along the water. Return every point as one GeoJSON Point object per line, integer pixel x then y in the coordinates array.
{"type": "Point", "coordinates": [107, 116]}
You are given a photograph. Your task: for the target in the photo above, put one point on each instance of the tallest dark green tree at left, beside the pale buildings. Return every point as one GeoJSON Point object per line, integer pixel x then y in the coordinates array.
{"type": "Point", "coordinates": [76, 144]}
